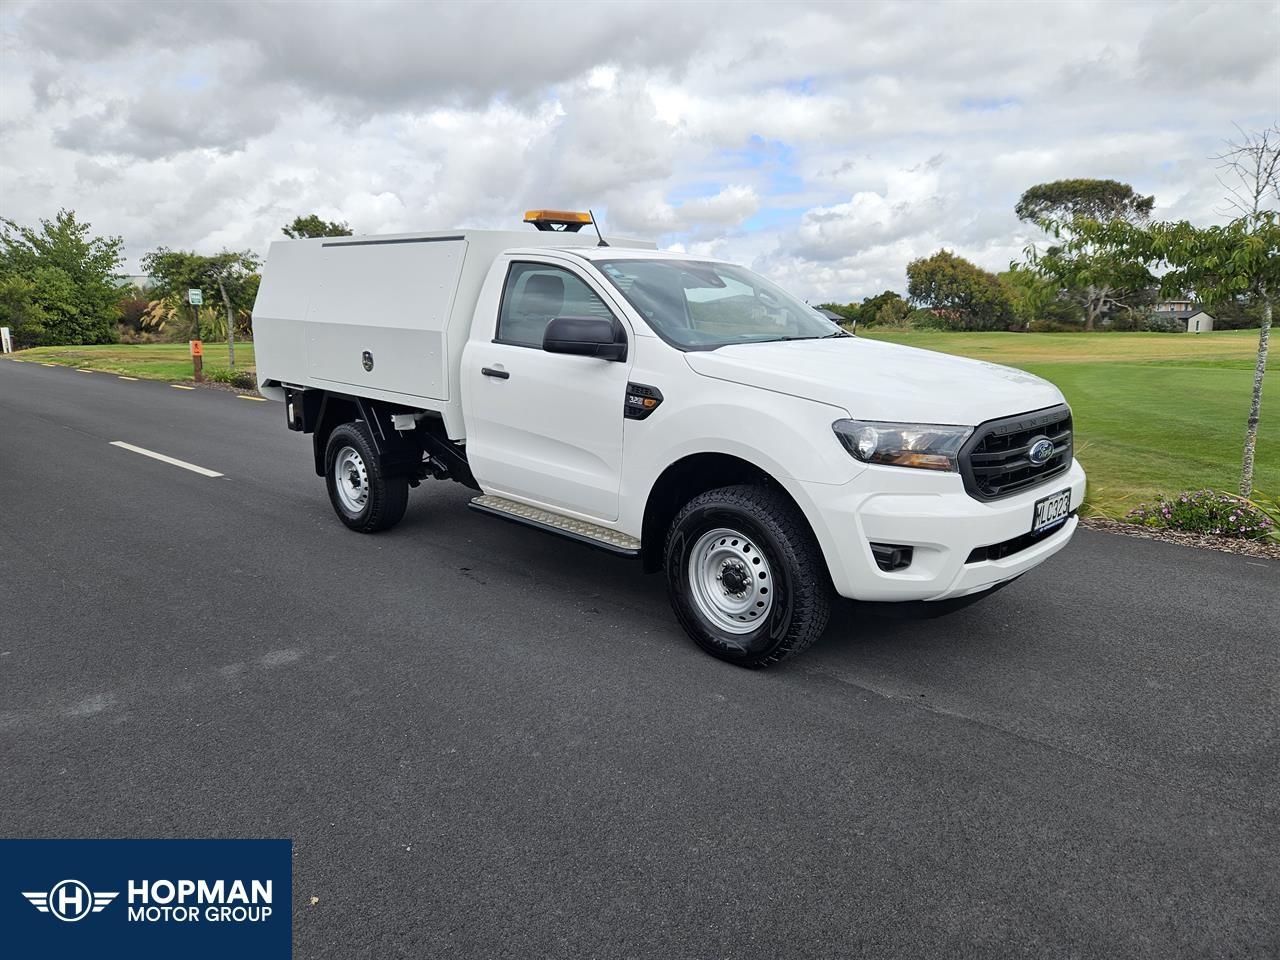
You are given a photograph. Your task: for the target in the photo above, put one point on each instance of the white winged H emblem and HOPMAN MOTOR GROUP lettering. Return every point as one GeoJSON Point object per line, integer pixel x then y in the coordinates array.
{"type": "Point", "coordinates": [162, 902]}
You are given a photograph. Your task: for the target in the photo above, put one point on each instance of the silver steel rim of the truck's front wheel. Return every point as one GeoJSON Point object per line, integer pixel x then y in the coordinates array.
{"type": "Point", "coordinates": [730, 580]}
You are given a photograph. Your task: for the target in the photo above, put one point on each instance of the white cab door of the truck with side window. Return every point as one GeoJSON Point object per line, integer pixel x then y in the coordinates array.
{"type": "Point", "coordinates": [542, 427]}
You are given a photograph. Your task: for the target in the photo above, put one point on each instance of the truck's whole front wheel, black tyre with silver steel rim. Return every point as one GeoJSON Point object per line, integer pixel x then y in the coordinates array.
{"type": "Point", "coordinates": [746, 575]}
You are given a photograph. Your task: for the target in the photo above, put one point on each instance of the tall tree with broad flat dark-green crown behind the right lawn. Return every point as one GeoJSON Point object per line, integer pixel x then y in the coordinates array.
{"type": "Point", "coordinates": [1100, 284]}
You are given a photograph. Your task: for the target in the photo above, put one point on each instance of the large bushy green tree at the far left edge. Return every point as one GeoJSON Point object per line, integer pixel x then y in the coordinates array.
{"type": "Point", "coordinates": [70, 280]}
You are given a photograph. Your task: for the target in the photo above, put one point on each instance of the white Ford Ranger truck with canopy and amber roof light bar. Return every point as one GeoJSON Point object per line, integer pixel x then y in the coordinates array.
{"type": "Point", "coordinates": [669, 408]}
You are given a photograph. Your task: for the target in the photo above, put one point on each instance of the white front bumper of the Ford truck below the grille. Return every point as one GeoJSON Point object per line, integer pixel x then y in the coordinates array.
{"type": "Point", "coordinates": [934, 515]}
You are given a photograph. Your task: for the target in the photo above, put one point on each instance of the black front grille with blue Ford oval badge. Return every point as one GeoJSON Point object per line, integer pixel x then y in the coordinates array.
{"type": "Point", "coordinates": [994, 461]}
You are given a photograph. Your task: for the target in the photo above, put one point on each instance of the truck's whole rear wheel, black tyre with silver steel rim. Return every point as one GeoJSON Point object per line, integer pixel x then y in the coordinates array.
{"type": "Point", "coordinates": [364, 499]}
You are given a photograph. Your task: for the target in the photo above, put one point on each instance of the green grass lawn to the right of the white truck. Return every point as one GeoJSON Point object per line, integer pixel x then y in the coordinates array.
{"type": "Point", "coordinates": [1154, 413]}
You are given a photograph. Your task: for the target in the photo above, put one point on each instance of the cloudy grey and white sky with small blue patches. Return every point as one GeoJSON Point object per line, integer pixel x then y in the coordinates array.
{"type": "Point", "coordinates": [826, 145]}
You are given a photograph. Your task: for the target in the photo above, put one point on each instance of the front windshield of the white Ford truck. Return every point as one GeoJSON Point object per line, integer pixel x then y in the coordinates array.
{"type": "Point", "coordinates": [698, 305]}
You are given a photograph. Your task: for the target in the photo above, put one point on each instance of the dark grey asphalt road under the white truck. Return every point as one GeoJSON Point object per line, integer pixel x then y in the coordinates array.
{"type": "Point", "coordinates": [490, 743]}
